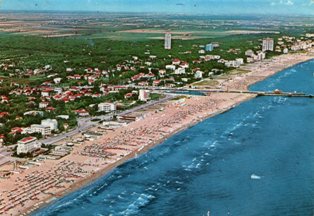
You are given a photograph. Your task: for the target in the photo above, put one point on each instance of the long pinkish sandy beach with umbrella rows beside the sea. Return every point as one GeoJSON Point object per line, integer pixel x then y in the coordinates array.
{"type": "Point", "coordinates": [31, 188]}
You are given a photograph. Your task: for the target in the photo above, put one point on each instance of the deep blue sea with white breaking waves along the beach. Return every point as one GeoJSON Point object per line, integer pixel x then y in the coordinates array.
{"type": "Point", "coordinates": [256, 159]}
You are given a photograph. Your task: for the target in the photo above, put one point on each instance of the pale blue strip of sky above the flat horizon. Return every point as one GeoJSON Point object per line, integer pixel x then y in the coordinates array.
{"type": "Point", "coordinates": [209, 7]}
